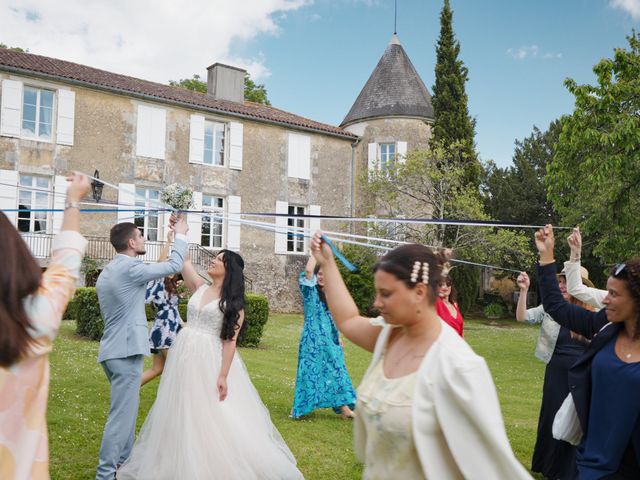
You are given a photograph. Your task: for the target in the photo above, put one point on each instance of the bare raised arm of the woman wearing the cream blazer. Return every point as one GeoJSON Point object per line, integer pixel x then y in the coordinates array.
{"type": "Point", "coordinates": [343, 309]}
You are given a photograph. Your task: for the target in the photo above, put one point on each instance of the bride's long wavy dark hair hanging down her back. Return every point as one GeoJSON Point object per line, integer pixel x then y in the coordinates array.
{"type": "Point", "coordinates": [232, 295]}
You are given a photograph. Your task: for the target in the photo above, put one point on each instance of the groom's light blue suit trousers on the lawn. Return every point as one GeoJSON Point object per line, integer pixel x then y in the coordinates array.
{"type": "Point", "coordinates": [124, 375]}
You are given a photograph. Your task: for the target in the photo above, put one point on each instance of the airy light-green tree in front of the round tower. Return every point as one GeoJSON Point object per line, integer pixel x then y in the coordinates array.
{"type": "Point", "coordinates": [427, 184]}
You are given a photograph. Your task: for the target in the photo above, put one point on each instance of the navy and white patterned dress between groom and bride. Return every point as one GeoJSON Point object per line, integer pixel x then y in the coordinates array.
{"type": "Point", "coordinates": [167, 323]}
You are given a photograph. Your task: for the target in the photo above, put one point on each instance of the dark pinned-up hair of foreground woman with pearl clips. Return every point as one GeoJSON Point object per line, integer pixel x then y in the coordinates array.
{"type": "Point", "coordinates": [399, 262]}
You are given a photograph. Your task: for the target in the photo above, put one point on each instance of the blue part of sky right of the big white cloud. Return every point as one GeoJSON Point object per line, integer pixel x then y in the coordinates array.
{"type": "Point", "coordinates": [518, 54]}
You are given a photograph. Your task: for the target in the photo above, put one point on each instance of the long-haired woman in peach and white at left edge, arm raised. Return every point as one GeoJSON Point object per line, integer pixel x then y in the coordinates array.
{"type": "Point", "coordinates": [31, 308]}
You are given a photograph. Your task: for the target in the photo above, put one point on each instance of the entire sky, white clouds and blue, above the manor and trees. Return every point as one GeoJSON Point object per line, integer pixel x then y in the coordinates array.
{"type": "Point", "coordinates": [314, 56]}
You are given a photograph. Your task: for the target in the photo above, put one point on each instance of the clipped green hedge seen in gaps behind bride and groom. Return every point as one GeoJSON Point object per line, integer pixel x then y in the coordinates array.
{"type": "Point", "coordinates": [90, 323]}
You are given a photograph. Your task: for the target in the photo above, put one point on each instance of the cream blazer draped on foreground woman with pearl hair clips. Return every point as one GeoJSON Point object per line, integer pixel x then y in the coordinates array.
{"type": "Point", "coordinates": [457, 424]}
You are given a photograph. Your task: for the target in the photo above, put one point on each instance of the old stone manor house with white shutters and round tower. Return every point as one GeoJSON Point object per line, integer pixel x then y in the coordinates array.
{"type": "Point", "coordinates": [238, 157]}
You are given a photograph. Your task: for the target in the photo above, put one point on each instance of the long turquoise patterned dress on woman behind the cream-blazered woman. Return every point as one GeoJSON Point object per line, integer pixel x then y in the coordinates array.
{"type": "Point", "coordinates": [322, 380]}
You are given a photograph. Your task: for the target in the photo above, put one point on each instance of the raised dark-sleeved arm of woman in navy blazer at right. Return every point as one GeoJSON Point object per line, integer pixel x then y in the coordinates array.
{"type": "Point", "coordinates": [571, 316]}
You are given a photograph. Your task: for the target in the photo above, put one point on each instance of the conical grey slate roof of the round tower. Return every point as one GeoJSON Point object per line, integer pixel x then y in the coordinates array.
{"type": "Point", "coordinates": [393, 89]}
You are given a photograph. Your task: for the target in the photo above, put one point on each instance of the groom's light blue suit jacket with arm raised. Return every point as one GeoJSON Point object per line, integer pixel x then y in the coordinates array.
{"type": "Point", "coordinates": [121, 289]}
